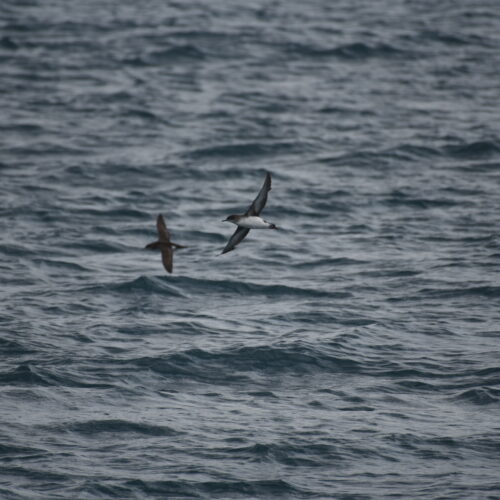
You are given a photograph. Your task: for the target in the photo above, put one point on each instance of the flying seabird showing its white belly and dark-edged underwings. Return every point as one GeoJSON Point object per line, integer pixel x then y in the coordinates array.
{"type": "Point", "coordinates": [250, 219]}
